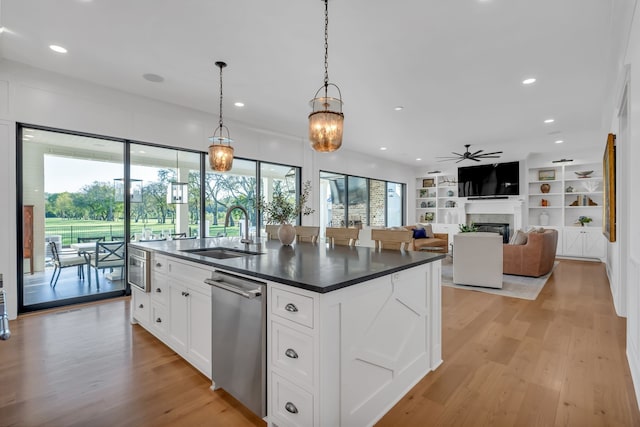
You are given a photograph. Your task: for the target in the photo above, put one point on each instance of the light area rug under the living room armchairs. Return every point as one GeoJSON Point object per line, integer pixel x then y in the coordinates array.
{"type": "Point", "coordinates": [512, 286]}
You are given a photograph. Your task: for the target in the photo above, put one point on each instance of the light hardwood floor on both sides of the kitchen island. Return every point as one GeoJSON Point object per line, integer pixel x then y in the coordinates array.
{"type": "Point", "coordinates": [559, 360]}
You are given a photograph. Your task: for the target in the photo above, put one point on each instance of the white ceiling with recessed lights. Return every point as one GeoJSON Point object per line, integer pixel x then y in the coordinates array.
{"type": "Point", "coordinates": [455, 66]}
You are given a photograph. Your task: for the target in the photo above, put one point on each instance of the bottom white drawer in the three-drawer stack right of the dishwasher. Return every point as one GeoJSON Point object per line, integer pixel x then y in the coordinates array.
{"type": "Point", "coordinates": [291, 403]}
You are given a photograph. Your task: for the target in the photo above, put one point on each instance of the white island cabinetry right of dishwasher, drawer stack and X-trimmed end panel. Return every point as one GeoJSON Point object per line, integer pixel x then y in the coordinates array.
{"type": "Point", "coordinates": [345, 357]}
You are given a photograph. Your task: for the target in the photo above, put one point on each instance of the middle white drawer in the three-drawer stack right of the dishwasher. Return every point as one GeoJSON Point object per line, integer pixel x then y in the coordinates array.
{"type": "Point", "coordinates": [292, 352]}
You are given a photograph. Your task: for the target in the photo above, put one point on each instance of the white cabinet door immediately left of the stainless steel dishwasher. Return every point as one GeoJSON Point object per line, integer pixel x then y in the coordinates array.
{"type": "Point", "coordinates": [199, 324]}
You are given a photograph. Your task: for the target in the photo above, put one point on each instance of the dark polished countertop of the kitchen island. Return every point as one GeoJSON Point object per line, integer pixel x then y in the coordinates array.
{"type": "Point", "coordinates": [311, 266]}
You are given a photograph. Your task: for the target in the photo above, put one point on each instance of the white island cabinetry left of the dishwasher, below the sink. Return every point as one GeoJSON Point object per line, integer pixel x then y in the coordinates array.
{"type": "Point", "coordinates": [177, 310]}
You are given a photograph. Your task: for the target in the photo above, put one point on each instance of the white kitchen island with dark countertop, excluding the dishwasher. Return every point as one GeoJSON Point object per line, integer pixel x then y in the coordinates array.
{"type": "Point", "coordinates": [363, 326]}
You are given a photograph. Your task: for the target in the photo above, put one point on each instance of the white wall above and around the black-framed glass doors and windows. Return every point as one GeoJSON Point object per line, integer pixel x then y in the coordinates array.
{"type": "Point", "coordinates": [34, 96]}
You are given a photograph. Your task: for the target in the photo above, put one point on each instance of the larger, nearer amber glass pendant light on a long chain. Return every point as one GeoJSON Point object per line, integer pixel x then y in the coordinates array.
{"type": "Point", "coordinates": [326, 118]}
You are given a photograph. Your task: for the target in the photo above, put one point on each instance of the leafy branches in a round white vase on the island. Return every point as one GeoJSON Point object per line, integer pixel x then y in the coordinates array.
{"type": "Point", "coordinates": [283, 209]}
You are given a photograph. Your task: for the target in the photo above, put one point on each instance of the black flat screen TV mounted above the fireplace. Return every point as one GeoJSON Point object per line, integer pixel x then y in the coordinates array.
{"type": "Point", "coordinates": [497, 179]}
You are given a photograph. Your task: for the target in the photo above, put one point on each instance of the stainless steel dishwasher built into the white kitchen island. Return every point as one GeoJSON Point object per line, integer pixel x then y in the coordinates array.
{"type": "Point", "coordinates": [238, 344]}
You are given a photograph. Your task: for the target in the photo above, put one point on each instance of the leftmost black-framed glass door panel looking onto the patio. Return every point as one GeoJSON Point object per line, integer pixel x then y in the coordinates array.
{"type": "Point", "coordinates": [67, 206]}
